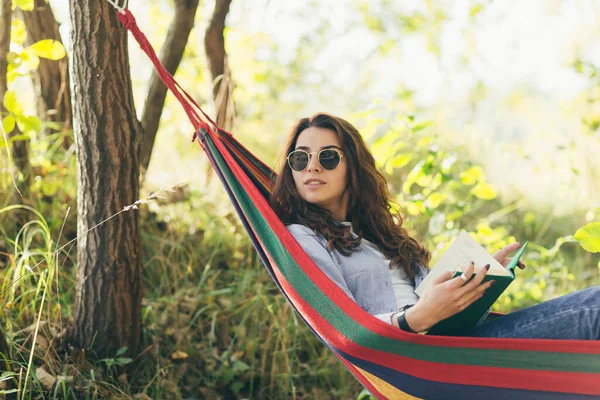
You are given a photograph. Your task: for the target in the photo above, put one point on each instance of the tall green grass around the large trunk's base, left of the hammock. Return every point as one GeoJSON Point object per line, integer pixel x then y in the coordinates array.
{"type": "Point", "coordinates": [214, 324]}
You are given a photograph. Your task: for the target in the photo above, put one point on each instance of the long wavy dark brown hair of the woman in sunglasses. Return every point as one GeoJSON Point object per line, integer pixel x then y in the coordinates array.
{"type": "Point", "coordinates": [369, 205]}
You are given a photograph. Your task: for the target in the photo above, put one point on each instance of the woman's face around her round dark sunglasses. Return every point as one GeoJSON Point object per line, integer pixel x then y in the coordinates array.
{"type": "Point", "coordinates": [326, 188]}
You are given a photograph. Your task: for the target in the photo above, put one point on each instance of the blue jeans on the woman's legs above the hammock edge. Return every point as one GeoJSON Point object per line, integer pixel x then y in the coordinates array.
{"type": "Point", "coordinates": [573, 316]}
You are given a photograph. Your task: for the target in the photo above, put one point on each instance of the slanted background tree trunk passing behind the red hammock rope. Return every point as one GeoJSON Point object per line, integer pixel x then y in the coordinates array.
{"type": "Point", "coordinates": [171, 55]}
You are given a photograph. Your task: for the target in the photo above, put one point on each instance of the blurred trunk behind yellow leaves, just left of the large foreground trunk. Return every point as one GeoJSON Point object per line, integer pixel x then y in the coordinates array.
{"type": "Point", "coordinates": [51, 79]}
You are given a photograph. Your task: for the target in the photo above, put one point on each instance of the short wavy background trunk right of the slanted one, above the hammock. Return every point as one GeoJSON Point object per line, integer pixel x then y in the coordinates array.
{"type": "Point", "coordinates": [214, 45]}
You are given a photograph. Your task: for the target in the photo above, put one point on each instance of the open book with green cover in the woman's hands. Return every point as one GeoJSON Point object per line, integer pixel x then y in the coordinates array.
{"type": "Point", "coordinates": [458, 256]}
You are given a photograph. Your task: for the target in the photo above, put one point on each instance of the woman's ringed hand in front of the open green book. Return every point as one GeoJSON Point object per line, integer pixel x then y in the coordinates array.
{"type": "Point", "coordinates": [446, 296]}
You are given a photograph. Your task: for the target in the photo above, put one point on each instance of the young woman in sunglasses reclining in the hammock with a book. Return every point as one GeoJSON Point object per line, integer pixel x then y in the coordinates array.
{"type": "Point", "coordinates": [336, 203]}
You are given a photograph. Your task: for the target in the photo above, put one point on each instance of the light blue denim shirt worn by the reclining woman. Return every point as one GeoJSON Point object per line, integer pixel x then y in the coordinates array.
{"type": "Point", "coordinates": [364, 275]}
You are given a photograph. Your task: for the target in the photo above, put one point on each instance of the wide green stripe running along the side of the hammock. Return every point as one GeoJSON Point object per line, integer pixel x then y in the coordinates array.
{"type": "Point", "coordinates": [312, 294]}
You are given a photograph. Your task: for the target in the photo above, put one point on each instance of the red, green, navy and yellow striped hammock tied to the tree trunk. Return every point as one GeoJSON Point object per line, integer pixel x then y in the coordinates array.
{"type": "Point", "coordinates": [389, 362]}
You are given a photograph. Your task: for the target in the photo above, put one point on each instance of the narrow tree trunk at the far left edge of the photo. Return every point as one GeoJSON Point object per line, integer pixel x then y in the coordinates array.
{"type": "Point", "coordinates": [19, 148]}
